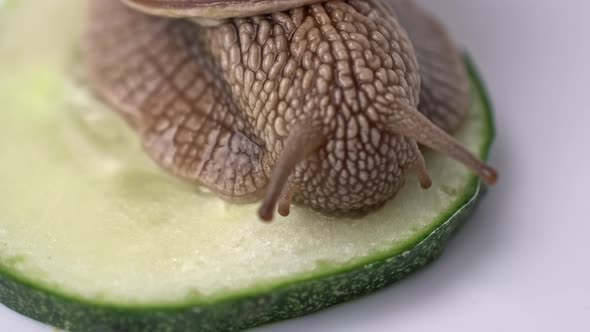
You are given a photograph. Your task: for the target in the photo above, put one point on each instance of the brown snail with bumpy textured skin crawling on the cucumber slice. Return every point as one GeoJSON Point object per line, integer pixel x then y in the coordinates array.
{"type": "Point", "coordinates": [321, 102]}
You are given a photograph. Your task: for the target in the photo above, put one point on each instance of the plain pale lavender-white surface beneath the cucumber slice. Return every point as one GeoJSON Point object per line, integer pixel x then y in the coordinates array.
{"type": "Point", "coordinates": [521, 263]}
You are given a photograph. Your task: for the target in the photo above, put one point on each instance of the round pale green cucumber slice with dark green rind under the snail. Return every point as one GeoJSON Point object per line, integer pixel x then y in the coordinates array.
{"type": "Point", "coordinates": [94, 237]}
